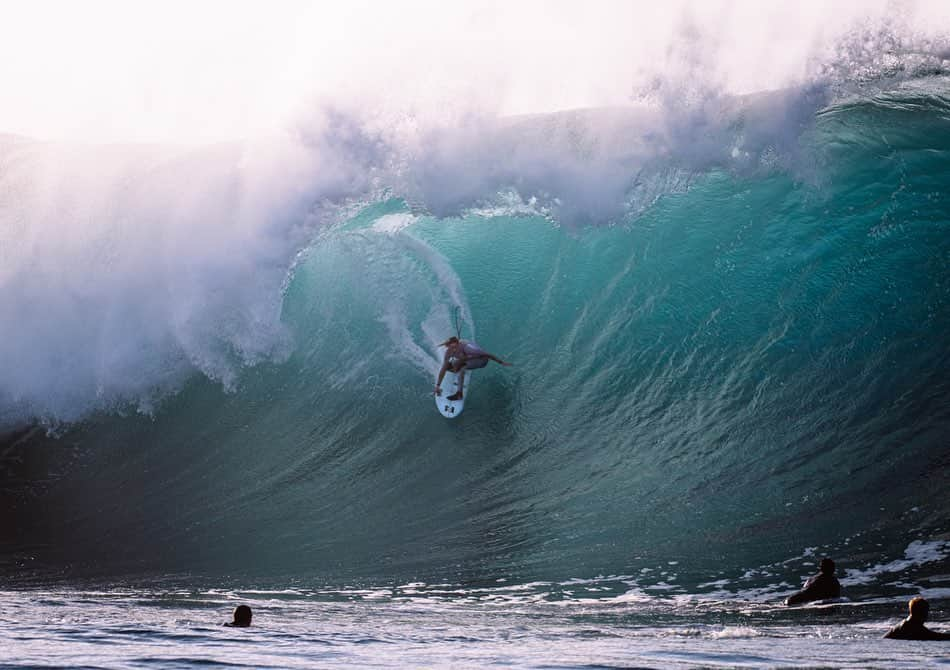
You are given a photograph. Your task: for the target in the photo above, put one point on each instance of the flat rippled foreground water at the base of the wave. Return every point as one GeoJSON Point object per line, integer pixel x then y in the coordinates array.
{"type": "Point", "coordinates": [537, 625]}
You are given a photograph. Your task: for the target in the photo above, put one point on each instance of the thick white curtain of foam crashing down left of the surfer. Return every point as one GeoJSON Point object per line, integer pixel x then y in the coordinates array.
{"type": "Point", "coordinates": [128, 269]}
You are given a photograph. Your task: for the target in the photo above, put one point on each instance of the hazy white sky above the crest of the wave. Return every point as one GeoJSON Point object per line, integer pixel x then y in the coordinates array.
{"type": "Point", "coordinates": [207, 70]}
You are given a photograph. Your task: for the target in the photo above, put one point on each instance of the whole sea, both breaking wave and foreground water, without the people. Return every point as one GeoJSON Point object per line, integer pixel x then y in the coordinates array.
{"type": "Point", "coordinates": [729, 327]}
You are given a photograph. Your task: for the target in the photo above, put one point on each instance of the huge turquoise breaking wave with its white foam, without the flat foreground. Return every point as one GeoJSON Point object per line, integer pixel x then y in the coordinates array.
{"type": "Point", "coordinates": [751, 360]}
